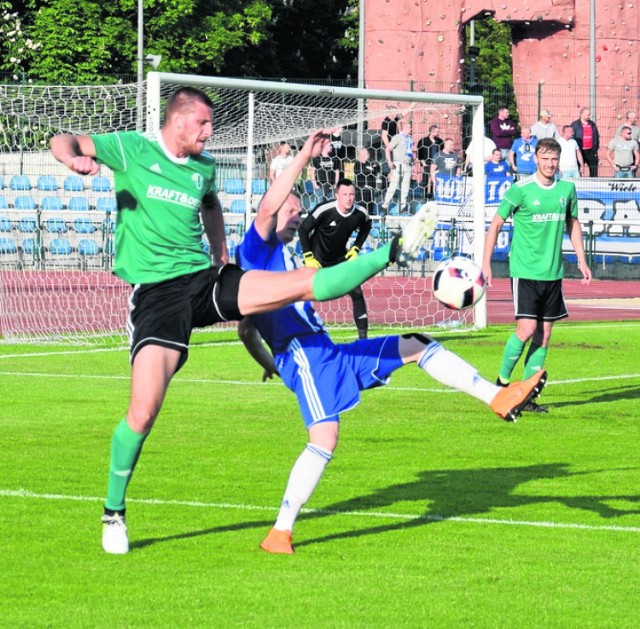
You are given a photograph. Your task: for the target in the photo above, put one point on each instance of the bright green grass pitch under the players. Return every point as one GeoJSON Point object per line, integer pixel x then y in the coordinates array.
{"type": "Point", "coordinates": [433, 513]}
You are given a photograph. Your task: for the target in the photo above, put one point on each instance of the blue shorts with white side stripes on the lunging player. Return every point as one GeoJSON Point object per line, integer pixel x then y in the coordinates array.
{"type": "Point", "coordinates": [327, 378]}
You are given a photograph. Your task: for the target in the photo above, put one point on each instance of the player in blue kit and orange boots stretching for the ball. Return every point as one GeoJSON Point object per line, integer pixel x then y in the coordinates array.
{"type": "Point", "coordinates": [327, 378]}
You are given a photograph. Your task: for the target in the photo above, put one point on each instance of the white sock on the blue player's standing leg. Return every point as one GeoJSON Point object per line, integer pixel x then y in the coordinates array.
{"type": "Point", "coordinates": [305, 476]}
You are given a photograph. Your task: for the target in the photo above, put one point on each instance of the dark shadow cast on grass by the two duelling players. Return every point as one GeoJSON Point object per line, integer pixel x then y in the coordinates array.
{"type": "Point", "coordinates": [445, 494]}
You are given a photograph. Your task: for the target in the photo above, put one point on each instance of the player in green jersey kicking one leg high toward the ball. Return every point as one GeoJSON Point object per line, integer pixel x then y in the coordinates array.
{"type": "Point", "coordinates": [166, 196]}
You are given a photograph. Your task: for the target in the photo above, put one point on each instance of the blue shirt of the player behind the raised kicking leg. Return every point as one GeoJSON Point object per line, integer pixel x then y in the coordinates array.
{"type": "Point", "coordinates": [277, 328]}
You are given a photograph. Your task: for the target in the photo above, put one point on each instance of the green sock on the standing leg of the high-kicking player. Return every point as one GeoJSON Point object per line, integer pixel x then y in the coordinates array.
{"type": "Point", "coordinates": [125, 450]}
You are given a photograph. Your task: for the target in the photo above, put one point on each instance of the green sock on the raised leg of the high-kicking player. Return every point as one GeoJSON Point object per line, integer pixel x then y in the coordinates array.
{"type": "Point", "coordinates": [336, 281]}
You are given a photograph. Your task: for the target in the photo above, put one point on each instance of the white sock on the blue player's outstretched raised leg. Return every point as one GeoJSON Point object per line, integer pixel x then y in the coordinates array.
{"type": "Point", "coordinates": [449, 369]}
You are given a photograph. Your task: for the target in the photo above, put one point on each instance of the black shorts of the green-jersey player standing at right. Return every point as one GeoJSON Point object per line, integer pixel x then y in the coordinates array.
{"type": "Point", "coordinates": [537, 299]}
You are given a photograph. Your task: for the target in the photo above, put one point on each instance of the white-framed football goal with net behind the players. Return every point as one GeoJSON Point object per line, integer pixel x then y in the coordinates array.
{"type": "Point", "coordinates": [56, 229]}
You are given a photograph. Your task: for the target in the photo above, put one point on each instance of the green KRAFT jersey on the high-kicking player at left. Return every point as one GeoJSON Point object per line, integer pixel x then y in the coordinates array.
{"type": "Point", "coordinates": [158, 229]}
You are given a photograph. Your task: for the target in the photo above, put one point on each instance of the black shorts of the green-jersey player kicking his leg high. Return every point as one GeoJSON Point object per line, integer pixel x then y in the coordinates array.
{"type": "Point", "coordinates": [165, 313]}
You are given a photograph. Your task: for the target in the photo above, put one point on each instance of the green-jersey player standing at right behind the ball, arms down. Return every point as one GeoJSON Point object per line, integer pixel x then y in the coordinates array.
{"type": "Point", "coordinates": [541, 207]}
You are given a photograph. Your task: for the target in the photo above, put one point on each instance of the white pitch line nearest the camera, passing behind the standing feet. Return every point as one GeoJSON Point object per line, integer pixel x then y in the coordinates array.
{"type": "Point", "coordinates": [24, 493]}
